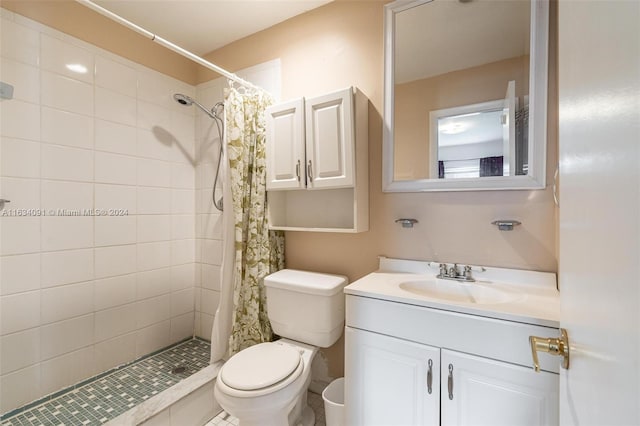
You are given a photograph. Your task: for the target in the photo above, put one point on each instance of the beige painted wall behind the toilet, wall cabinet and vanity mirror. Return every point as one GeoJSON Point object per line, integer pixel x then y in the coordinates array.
{"type": "Point", "coordinates": [339, 45]}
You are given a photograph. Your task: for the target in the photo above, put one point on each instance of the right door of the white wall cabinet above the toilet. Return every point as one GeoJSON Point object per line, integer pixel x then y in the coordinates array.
{"type": "Point", "coordinates": [330, 138]}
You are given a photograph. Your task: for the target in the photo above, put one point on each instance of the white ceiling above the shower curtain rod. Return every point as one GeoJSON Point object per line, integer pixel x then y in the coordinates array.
{"type": "Point", "coordinates": [201, 26]}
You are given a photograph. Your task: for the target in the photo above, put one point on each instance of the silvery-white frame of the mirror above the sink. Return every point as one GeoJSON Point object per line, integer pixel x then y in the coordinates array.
{"type": "Point", "coordinates": [538, 77]}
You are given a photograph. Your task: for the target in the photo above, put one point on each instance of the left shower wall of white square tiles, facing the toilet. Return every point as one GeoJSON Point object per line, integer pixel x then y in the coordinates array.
{"type": "Point", "coordinates": [81, 293]}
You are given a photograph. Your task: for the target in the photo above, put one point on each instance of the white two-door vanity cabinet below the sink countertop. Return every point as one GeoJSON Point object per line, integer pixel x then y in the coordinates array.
{"type": "Point", "coordinates": [478, 369]}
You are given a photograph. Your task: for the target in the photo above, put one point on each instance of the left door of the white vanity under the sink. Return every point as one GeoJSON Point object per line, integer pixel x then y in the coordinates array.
{"type": "Point", "coordinates": [390, 381]}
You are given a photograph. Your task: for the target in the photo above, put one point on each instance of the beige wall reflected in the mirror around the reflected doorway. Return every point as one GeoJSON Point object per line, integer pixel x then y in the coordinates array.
{"type": "Point", "coordinates": [415, 100]}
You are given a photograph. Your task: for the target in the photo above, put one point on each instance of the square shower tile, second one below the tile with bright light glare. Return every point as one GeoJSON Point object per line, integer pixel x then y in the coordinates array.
{"type": "Point", "coordinates": [67, 128]}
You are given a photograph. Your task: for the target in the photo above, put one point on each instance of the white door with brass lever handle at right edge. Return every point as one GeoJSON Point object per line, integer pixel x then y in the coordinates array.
{"type": "Point", "coordinates": [599, 258]}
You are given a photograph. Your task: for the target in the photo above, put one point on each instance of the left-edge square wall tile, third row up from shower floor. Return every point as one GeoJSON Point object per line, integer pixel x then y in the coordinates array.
{"type": "Point", "coordinates": [20, 312]}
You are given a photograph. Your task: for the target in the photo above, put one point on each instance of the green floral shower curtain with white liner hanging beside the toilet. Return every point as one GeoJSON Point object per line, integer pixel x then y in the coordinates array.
{"type": "Point", "coordinates": [256, 251]}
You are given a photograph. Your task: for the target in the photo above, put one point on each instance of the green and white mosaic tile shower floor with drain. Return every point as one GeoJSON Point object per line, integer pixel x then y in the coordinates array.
{"type": "Point", "coordinates": [110, 395]}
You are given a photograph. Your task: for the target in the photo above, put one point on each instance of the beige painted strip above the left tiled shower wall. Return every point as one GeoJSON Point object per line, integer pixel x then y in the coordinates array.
{"type": "Point", "coordinates": [76, 20]}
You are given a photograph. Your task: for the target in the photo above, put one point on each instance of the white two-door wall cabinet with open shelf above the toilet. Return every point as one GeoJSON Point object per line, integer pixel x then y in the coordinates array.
{"type": "Point", "coordinates": [317, 163]}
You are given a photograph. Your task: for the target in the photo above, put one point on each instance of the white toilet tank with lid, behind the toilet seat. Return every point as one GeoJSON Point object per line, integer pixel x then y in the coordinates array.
{"type": "Point", "coordinates": [307, 307]}
